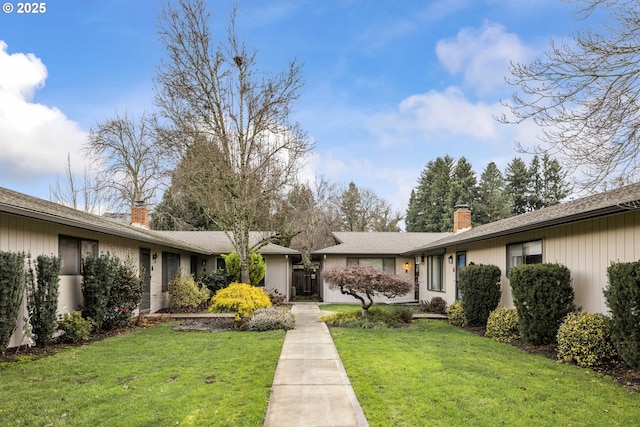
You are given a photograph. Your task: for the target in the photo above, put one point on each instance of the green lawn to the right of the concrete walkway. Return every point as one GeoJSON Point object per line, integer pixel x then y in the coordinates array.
{"type": "Point", "coordinates": [438, 375]}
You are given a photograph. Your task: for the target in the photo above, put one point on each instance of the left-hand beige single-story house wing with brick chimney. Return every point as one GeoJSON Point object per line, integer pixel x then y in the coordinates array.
{"type": "Point", "coordinates": [36, 226]}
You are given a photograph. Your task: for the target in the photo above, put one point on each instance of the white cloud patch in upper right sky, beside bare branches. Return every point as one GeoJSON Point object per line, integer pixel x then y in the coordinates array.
{"type": "Point", "coordinates": [482, 56]}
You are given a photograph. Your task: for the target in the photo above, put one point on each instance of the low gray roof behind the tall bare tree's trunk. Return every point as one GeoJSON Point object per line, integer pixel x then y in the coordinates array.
{"type": "Point", "coordinates": [218, 242]}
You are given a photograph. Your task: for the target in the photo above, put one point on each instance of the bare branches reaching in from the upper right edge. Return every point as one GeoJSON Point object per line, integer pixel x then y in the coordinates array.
{"type": "Point", "coordinates": [585, 94]}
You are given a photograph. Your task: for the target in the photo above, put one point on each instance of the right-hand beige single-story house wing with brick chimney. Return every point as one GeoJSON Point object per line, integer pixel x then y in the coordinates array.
{"type": "Point", "coordinates": [586, 235]}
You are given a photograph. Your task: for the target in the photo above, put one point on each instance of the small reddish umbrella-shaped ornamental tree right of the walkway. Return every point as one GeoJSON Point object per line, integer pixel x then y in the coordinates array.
{"type": "Point", "coordinates": [364, 282]}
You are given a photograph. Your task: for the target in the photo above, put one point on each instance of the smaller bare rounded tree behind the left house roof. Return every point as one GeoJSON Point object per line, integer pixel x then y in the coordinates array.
{"type": "Point", "coordinates": [129, 163]}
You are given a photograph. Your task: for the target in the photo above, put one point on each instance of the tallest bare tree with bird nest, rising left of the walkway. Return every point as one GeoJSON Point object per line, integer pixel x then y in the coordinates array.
{"type": "Point", "coordinates": [215, 96]}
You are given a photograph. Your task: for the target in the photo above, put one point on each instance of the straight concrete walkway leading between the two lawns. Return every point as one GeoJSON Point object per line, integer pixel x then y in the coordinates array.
{"type": "Point", "coordinates": [311, 387]}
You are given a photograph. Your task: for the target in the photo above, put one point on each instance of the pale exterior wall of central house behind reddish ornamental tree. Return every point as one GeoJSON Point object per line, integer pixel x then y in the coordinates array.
{"type": "Point", "coordinates": [334, 295]}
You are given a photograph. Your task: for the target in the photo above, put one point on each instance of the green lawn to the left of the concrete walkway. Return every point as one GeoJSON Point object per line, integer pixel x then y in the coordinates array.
{"type": "Point", "coordinates": [148, 377]}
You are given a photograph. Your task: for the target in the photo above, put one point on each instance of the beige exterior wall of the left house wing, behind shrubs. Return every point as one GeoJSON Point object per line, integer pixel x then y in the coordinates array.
{"type": "Point", "coordinates": [36, 237]}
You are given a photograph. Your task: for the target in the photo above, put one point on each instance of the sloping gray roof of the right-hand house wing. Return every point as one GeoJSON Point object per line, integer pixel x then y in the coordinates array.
{"type": "Point", "coordinates": [602, 204]}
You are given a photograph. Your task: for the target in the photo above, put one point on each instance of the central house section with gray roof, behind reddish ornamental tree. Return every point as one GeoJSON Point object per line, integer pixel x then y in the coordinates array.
{"type": "Point", "coordinates": [384, 250]}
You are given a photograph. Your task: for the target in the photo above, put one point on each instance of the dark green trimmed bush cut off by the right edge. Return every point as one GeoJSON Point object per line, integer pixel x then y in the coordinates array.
{"type": "Point", "coordinates": [623, 299]}
